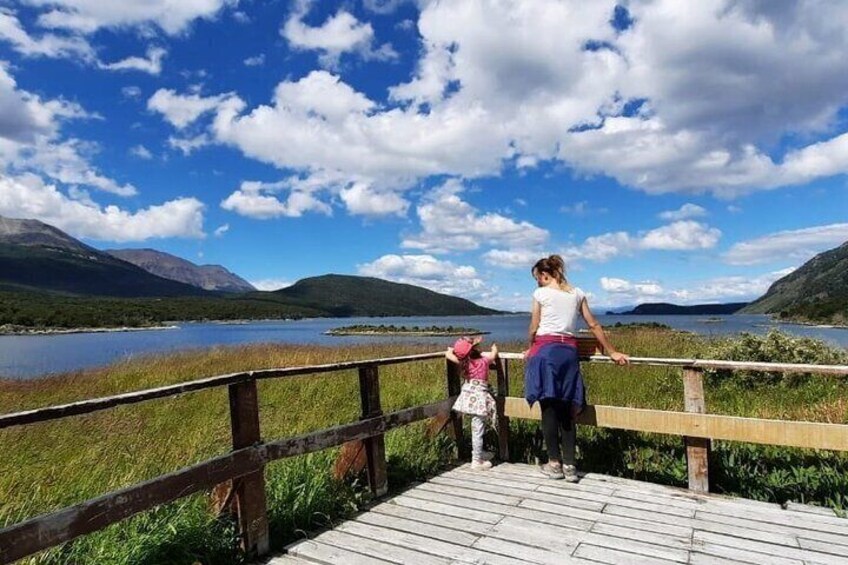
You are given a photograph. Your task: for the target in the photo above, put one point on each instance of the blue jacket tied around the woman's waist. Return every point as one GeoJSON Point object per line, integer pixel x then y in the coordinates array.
{"type": "Point", "coordinates": [554, 372]}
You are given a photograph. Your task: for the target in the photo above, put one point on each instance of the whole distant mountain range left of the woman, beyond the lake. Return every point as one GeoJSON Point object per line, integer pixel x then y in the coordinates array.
{"type": "Point", "coordinates": [48, 278]}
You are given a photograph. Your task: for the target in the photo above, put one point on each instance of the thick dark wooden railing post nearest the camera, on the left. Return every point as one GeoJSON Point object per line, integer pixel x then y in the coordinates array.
{"type": "Point", "coordinates": [250, 489]}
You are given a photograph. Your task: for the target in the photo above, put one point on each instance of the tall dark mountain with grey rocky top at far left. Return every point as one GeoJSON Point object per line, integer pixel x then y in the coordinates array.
{"type": "Point", "coordinates": [38, 256]}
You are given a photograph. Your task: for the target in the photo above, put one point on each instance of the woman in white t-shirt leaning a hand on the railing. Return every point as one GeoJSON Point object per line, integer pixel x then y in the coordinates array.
{"type": "Point", "coordinates": [552, 369]}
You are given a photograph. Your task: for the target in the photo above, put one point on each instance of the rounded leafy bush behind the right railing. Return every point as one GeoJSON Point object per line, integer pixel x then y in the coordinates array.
{"type": "Point", "coordinates": [774, 347]}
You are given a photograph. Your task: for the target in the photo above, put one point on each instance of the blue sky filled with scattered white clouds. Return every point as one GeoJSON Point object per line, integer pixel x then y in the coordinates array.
{"type": "Point", "coordinates": [680, 153]}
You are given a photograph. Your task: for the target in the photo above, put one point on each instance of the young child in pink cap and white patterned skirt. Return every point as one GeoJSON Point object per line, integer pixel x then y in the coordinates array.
{"type": "Point", "coordinates": [475, 398]}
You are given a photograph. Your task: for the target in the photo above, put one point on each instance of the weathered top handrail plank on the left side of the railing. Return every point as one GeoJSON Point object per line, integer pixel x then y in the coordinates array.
{"type": "Point", "coordinates": [95, 404]}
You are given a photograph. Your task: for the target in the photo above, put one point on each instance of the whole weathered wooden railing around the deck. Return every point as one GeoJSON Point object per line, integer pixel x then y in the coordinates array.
{"type": "Point", "coordinates": [243, 468]}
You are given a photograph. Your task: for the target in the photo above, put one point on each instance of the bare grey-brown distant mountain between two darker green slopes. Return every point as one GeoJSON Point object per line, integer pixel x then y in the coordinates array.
{"type": "Point", "coordinates": [207, 277]}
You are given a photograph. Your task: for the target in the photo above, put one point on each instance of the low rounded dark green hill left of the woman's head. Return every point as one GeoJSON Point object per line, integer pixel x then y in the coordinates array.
{"type": "Point", "coordinates": [344, 295]}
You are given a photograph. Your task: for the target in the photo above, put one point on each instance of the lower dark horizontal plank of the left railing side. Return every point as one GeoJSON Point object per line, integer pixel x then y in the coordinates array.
{"type": "Point", "coordinates": [45, 531]}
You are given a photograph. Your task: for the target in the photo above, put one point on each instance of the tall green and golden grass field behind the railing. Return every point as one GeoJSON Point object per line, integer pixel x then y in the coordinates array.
{"type": "Point", "coordinates": [51, 465]}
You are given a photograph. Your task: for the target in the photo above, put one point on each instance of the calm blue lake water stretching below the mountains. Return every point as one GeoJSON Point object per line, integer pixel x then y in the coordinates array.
{"type": "Point", "coordinates": [24, 357]}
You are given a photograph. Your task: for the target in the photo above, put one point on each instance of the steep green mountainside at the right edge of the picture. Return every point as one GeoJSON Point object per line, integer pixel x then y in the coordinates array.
{"type": "Point", "coordinates": [815, 292]}
